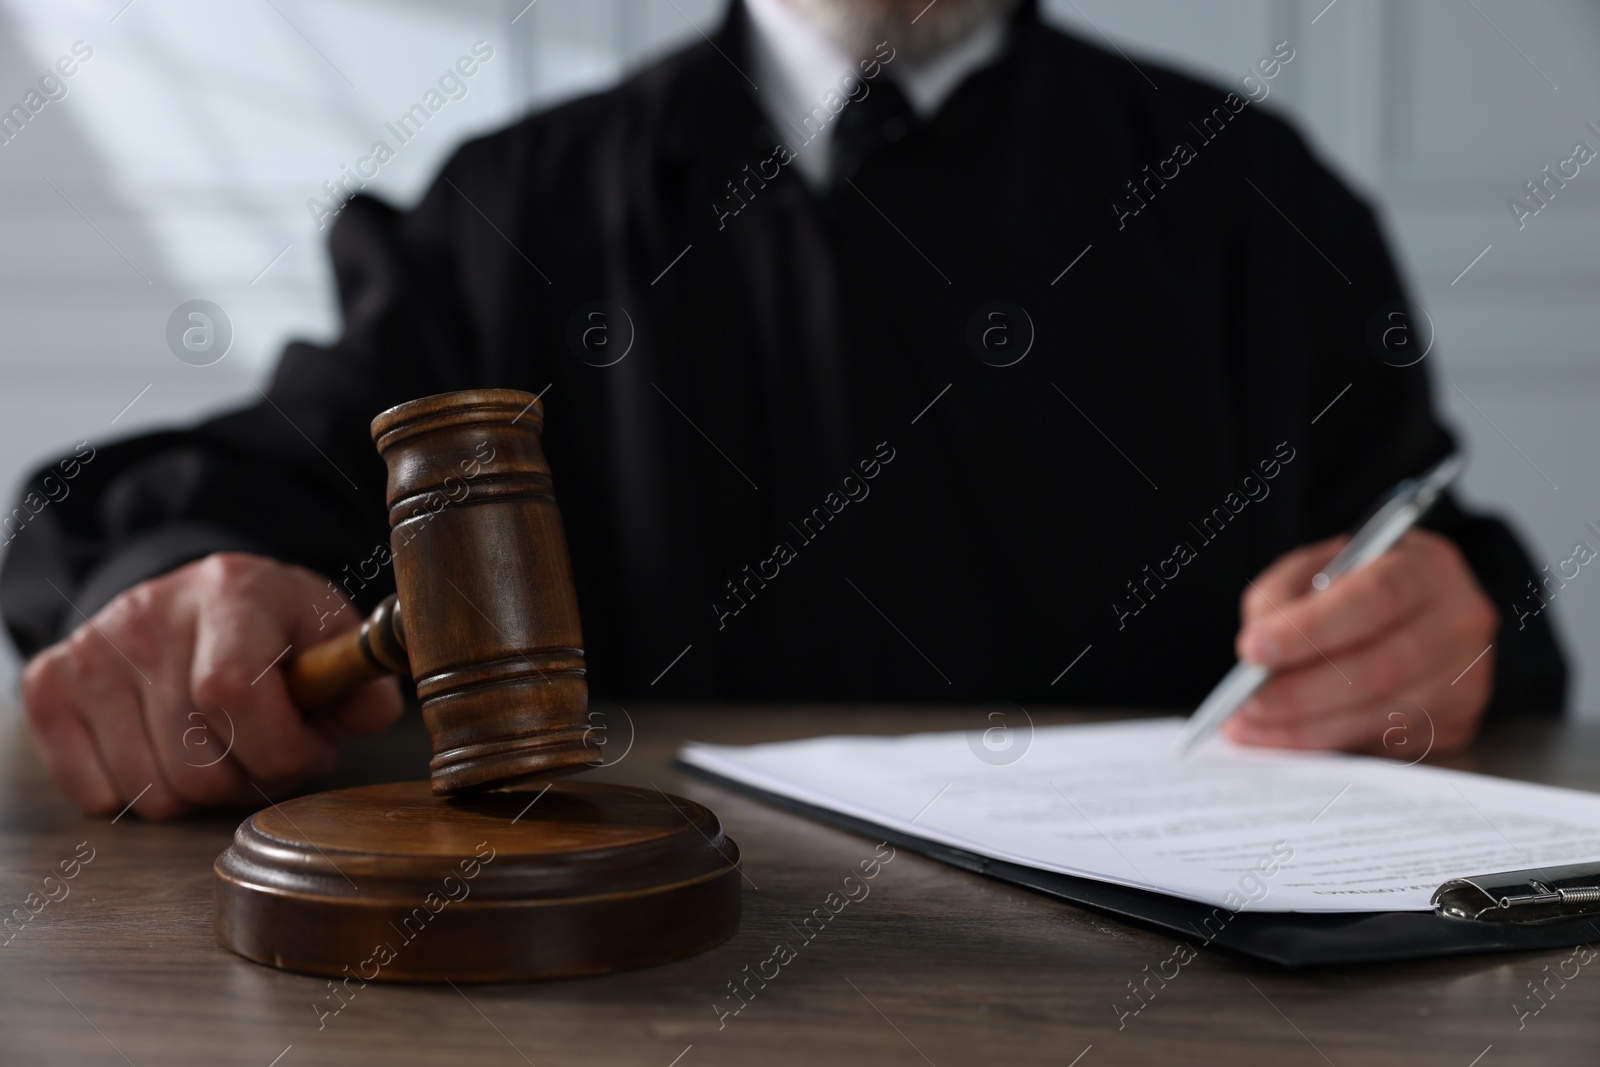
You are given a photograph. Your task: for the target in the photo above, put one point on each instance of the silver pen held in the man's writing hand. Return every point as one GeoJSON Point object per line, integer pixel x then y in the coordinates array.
{"type": "Point", "coordinates": [1406, 506]}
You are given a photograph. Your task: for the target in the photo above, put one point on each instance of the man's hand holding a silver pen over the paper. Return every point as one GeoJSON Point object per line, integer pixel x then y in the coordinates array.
{"type": "Point", "coordinates": [1377, 663]}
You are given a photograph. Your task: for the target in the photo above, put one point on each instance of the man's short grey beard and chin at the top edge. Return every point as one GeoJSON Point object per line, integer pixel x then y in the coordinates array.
{"type": "Point", "coordinates": [914, 28]}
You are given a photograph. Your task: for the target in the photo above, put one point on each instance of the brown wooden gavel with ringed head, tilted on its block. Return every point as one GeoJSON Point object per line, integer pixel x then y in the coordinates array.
{"type": "Point", "coordinates": [486, 617]}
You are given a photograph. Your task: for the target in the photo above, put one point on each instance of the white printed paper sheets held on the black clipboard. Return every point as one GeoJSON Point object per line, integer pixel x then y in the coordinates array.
{"type": "Point", "coordinates": [1247, 829]}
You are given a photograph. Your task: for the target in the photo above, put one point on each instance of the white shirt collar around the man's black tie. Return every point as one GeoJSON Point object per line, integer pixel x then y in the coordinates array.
{"type": "Point", "coordinates": [798, 66]}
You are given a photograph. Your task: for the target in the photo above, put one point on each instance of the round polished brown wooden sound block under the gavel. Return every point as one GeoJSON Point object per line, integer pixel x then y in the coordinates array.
{"type": "Point", "coordinates": [394, 884]}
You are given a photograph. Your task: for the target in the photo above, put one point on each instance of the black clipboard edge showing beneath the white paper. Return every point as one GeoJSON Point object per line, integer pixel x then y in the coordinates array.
{"type": "Point", "coordinates": [1286, 938]}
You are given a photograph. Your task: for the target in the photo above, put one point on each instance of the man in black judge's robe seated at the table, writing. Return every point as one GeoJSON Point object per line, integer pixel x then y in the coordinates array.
{"type": "Point", "coordinates": [889, 353]}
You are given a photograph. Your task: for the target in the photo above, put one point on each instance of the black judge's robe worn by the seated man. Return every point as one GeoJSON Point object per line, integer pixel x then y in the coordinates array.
{"type": "Point", "coordinates": [802, 473]}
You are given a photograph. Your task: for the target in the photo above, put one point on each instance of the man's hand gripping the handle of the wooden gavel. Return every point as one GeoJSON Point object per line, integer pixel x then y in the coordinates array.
{"type": "Point", "coordinates": [170, 700]}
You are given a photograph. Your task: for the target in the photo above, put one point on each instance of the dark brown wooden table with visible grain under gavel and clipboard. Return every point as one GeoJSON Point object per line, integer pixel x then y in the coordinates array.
{"type": "Point", "coordinates": [935, 967]}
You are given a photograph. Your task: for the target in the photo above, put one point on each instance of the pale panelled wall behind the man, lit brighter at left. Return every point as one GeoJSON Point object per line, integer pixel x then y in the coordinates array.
{"type": "Point", "coordinates": [182, 159]}
